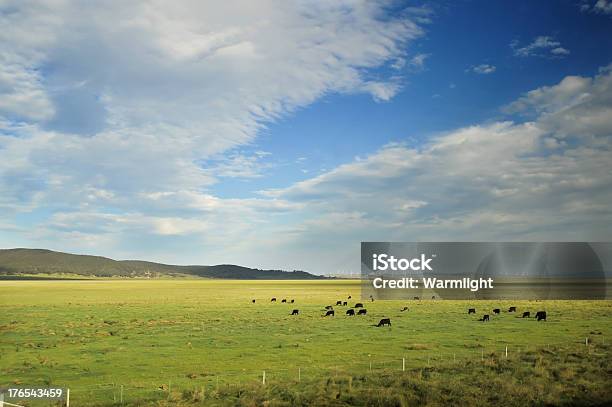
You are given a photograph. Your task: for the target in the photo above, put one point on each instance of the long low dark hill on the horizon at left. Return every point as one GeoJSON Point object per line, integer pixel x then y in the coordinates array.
{"type": "Point", "coordinates": [21, 262]}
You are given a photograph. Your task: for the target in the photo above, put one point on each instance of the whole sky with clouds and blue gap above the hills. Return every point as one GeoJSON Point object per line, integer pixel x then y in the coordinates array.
{"type": "Point", "coordinates": [279, 134]}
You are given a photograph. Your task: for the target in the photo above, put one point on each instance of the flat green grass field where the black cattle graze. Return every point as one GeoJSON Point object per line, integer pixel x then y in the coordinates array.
{"type": "Point", "coordinates": [199, 342]}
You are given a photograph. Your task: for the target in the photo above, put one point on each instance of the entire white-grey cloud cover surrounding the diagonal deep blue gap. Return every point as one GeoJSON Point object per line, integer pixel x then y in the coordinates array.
{"type": "Point", "coordinates": [169, 111]}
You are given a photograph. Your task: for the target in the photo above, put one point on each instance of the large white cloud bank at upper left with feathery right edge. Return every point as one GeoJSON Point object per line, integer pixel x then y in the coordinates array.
{"type": "Point", "coordinates": [137, 106]}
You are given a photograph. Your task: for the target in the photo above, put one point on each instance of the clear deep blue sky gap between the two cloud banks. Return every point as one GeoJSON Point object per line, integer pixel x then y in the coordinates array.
{"type": "Point", "coordinates": [441, 95]}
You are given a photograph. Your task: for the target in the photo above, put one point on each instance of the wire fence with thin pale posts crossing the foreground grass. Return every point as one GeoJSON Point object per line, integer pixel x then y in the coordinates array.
{"type": "Point", "coordinates": [119, 394]}
